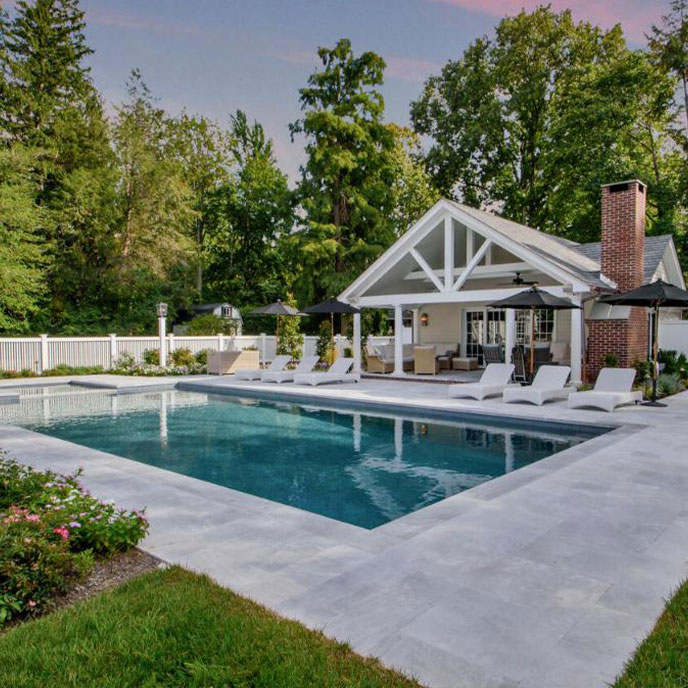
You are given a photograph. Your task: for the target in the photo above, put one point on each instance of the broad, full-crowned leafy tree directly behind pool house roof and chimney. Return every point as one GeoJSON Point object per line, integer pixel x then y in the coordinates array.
{"type": "Point", "coordinates": [533, 120]}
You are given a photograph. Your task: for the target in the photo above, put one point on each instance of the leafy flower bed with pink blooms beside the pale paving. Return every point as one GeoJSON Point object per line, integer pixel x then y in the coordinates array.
{"type": "Point", "coordinates": [51, 529]}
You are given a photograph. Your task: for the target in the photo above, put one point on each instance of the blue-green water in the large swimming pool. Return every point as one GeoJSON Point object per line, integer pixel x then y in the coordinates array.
{"type": "Point", "coordinates": [363, 468]}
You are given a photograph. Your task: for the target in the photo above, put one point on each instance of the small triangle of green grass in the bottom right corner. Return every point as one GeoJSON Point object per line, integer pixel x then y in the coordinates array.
{"type": "Point", "coordinates": [661, 661]}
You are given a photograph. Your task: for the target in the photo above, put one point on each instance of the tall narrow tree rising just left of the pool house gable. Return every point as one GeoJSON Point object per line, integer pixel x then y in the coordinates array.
{"type": "Point", "coordinates": [346, 181]}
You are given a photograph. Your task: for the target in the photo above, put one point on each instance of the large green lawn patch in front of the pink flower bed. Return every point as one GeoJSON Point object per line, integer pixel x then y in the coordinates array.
{"type": "Point", "coordinates": [175, 628]}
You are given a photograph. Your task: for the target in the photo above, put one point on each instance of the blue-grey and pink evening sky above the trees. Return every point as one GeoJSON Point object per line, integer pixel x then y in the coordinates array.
{"type": "Point", "coordinates": [215, 56]}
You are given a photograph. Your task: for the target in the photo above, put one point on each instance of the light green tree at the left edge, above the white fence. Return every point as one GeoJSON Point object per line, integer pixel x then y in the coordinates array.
{"type": "Point", "coordinates": [22, 264]}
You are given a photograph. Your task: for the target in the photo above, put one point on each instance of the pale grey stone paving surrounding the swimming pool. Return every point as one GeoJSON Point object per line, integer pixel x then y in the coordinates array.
{"type": "Point", "coordinates": [546, 577]}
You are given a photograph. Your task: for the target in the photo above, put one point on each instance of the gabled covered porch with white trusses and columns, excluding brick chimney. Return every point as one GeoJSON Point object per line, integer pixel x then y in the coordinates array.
{"type": "Point", "coordinates": [439, 278]}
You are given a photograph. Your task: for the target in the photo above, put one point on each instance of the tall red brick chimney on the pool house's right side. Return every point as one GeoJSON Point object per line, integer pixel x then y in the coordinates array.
{"type": "Point", "coordinates": [621, 331]}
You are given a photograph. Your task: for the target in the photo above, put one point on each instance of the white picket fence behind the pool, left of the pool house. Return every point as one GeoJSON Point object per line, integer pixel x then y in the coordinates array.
{"type": "Point", "coordinates": [44, 352]}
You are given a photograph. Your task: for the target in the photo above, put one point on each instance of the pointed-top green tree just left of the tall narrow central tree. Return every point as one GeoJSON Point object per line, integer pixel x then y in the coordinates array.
{"type": "Point", "coordinates": [248, 216]}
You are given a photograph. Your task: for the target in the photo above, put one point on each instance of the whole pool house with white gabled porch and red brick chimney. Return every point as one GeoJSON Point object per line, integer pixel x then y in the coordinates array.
{"type": "Point", "coordinates": [443, 273]}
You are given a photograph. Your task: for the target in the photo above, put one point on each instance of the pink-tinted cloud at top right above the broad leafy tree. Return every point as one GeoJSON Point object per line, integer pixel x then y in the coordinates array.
{"type": "Point", "coordinates": [636, 16]}
